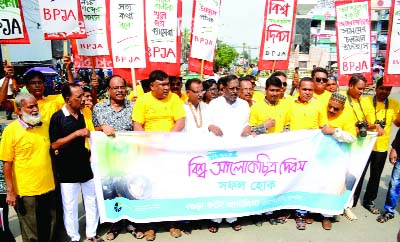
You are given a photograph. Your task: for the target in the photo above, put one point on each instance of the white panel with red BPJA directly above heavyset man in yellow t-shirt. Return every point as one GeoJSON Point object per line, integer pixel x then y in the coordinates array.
{"type": "Point", "coordinates": [162, 30]}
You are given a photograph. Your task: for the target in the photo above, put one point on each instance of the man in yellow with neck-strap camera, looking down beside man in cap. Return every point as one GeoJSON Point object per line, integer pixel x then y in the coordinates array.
{"type": "Point", "coordinates": [364, 119]}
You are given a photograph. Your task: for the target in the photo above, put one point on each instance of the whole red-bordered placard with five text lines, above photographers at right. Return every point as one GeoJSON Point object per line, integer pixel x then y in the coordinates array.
{"type": "Point", "coordinates": [347, 42]}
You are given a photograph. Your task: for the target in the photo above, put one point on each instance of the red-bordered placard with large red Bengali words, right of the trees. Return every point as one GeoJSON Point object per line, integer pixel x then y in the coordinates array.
{"type": "Point", "coordinates": [277, 34]}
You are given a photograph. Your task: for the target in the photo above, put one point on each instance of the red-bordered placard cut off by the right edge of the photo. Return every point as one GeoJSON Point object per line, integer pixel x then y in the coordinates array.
{"type": "Point", "coordinates": [391, 75]}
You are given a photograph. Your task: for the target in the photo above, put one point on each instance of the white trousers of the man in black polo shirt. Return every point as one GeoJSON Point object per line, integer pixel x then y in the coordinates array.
{"type": "Point", "coordinates": [70, 197]}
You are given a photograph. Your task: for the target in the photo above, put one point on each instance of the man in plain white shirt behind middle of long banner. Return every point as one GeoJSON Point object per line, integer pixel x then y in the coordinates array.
{"type": "Point", "coordinates": [228, 118]}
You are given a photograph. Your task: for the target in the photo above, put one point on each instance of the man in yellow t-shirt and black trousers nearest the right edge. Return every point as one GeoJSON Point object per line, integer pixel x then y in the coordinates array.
{"type": "Point", "coordinates": [386, 111]}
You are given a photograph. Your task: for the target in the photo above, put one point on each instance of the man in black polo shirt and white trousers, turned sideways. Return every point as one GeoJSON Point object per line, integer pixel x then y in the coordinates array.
{"type": "Point", "coordinates": [72, 161]}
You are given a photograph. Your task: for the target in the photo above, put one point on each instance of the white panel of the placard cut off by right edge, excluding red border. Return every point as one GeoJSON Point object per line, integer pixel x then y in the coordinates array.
{"type": "Point", "coordinates": [394, 52]}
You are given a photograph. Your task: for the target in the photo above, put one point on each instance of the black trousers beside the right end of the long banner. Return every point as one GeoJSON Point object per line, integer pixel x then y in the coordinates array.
{"type": "Point", "coordinates": [376, 163]}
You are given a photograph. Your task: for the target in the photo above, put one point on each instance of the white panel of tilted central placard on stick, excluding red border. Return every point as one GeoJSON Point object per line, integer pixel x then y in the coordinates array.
{"type": "Point", "coordinates": [205, 29]}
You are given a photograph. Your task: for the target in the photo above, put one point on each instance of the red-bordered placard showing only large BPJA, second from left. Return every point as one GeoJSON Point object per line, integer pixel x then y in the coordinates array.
{"type": "Point", "coordinates": [62, 20]}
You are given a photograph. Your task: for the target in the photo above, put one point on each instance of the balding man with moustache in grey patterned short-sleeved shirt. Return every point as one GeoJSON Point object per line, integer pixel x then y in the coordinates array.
{"type": "Point", "coordinates": [111, 116]}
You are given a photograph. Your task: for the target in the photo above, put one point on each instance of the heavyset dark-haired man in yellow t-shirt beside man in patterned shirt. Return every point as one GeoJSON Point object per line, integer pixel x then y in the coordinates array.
{"type": "Point", "coordinates": [159, 111]}
